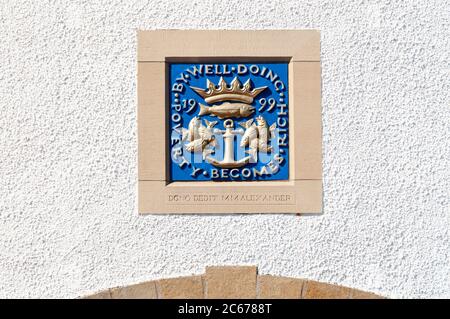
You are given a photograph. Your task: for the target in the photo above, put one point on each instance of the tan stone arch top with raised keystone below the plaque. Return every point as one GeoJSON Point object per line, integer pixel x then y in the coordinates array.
{"type": "Point", "coordinates": [233, 282]}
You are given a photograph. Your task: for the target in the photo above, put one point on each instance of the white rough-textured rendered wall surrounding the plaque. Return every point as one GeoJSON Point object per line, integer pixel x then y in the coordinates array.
{"type": "Point", "coordinates": [68, 219]}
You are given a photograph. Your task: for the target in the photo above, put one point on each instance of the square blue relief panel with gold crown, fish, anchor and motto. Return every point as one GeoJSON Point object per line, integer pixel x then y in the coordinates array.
{"type": "Point", "coordinates": [229, 122]}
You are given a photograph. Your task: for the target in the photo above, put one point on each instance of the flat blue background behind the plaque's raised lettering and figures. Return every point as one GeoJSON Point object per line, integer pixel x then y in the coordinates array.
{"type": "Point", "coordinates": [184, 174]}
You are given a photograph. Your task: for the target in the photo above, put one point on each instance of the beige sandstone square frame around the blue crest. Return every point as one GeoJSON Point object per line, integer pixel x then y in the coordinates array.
{"type": "Point", "coordinates": [302, 193]}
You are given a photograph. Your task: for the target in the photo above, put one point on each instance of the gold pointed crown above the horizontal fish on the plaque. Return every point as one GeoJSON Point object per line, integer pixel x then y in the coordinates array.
{"type": "Point", "coordinates": [224, 92]}
